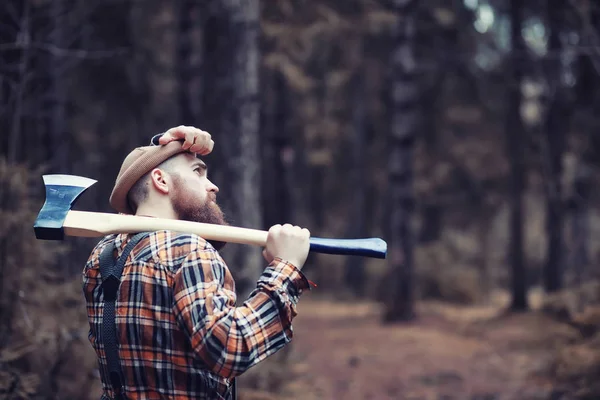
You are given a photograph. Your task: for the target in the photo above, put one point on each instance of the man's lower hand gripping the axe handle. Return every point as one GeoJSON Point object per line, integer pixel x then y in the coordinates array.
{"type": "Point", "coordinates": [290, 243]}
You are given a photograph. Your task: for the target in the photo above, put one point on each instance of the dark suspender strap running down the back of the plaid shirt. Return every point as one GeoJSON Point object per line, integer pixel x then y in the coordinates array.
{"type": "Point", "coordinates": [111, 279]}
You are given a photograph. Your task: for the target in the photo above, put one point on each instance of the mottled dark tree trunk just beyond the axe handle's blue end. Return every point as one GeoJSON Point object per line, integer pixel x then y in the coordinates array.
{"type": "Point", "coordinates": [407, 118]}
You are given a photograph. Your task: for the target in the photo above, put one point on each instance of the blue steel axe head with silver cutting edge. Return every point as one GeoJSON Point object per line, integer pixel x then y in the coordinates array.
{"type": "Point", "coordinates": [61, 193]}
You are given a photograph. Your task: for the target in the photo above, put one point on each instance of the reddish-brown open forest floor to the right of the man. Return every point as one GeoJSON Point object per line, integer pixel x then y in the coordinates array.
{"type": "Point", "coordinates": [448, 352]}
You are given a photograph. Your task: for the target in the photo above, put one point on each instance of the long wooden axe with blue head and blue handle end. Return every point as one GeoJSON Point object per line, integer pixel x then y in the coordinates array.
{"type": "Point", "coordinates": [56, 219]}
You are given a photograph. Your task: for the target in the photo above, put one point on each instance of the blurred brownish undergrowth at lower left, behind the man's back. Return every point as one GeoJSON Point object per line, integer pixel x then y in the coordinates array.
{"type": "Point", "coordinates": [43, 327]}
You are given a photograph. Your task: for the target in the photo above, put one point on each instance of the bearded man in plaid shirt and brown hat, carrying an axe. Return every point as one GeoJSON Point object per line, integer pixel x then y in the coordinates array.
{"type": "Point", "coordinates": [177, 332]}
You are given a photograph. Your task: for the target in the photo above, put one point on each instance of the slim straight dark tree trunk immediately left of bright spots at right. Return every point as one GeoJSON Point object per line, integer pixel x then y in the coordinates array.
{"type": "Point", "coordinates": [515, 149]}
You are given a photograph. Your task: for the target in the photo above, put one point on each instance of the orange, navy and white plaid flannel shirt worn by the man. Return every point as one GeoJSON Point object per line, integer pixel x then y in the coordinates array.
{"type": "Point", "coordinates": [179, 331]}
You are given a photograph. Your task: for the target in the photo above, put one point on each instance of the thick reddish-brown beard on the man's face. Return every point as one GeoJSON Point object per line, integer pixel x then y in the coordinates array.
{"type": "Point", "coordinates": [188, 209]}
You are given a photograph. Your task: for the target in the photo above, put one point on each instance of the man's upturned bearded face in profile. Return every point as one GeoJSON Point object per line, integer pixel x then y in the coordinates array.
{"type": "Point", "coordinates": [193, 195]}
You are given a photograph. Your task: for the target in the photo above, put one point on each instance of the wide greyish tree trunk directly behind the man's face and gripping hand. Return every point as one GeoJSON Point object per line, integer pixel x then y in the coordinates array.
{"type": "Point", "coordinates": [231, 107]}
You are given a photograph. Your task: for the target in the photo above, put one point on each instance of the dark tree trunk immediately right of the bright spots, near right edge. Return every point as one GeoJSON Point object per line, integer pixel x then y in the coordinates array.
{"type": "Point", "coordinates": [557, 121]}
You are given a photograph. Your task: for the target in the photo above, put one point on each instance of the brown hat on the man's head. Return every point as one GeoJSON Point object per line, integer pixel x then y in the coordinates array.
{"type": "Point", "coordinates": [137, 163]}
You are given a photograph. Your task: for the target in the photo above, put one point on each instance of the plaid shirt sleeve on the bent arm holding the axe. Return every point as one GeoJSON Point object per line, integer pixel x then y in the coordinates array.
{"type": "Point", "coordinates": [230, 339]}
